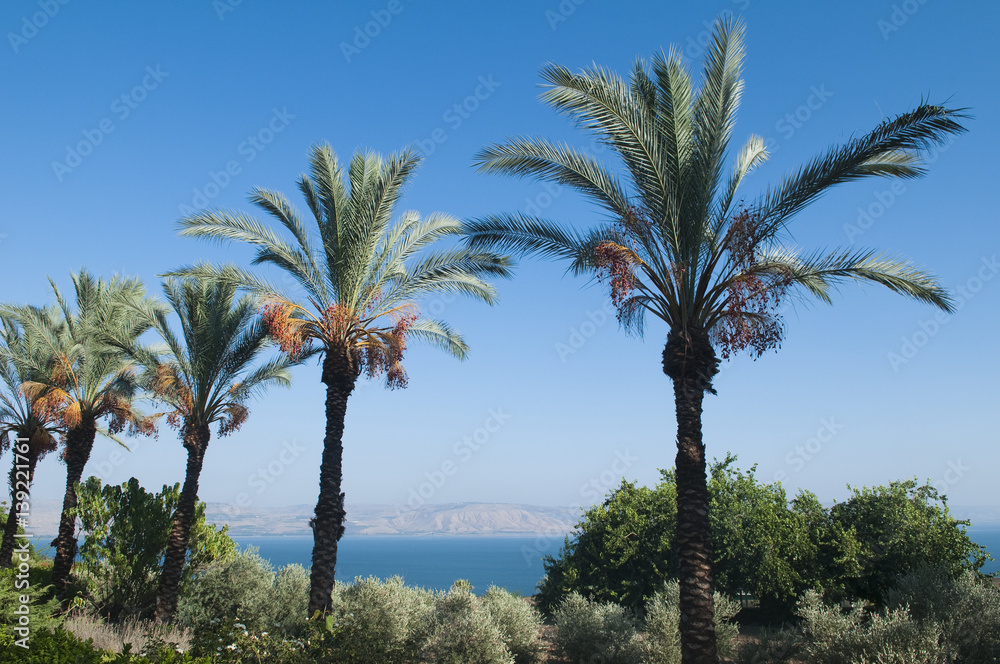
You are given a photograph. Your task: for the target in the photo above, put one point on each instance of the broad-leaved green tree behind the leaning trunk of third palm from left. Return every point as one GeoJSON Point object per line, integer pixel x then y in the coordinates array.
{"type": "Point", "coordinates": [127, 531]}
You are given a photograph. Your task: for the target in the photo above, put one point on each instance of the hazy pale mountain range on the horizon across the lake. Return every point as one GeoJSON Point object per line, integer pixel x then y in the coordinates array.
{"type": "Point", "coordinates": [443, 519]}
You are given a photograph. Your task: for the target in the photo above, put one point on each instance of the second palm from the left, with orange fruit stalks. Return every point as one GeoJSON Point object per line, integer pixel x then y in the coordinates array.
{"type": "Point", "coordinates": [86, 380]}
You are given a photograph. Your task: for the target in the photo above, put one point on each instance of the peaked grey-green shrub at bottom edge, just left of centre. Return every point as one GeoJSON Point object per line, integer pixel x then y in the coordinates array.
{"type": "Point", "coordinates": [463, 632]}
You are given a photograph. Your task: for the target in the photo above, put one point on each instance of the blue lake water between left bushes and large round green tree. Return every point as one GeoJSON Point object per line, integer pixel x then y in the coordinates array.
{"type": "Point", "coordinates": [433, 562]}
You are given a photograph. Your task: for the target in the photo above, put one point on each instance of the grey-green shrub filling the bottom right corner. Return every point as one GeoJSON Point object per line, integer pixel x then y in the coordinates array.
{"type": "Point", "coordinates": [966, 609]}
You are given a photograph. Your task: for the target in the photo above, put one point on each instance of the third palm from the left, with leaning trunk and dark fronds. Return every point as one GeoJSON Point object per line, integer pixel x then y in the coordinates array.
{"type": "Point", "coordinates": [205, 377]}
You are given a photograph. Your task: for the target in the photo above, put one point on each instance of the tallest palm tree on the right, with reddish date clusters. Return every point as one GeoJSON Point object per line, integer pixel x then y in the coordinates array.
{"type": "Point", "coordinates": [682, 247]}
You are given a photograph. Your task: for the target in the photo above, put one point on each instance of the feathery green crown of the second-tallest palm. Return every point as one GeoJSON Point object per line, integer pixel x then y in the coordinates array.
{"type": "Point", "coordinates": [361, 271]}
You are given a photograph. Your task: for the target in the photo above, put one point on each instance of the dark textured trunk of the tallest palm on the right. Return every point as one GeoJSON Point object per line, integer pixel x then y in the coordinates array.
{"type": "Point", "coordinates": [690, 361]}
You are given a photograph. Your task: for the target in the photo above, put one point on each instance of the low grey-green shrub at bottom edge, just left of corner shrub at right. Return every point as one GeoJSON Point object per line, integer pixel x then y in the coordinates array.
{"type": "Point", "coordinates": [833, 636]}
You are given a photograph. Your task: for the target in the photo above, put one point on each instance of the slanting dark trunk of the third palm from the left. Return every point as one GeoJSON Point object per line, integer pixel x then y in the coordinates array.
{"type": "Point", "coordinates": [196, 441]}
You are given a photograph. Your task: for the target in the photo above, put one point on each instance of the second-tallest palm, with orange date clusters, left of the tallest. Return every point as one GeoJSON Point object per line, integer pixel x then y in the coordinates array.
{"type": "Point", "coordinates": [362, 276]}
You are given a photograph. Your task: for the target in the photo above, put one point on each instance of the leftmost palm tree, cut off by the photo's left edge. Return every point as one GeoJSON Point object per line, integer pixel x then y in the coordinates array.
{"type": "Point", "coordinates": [34, 429]}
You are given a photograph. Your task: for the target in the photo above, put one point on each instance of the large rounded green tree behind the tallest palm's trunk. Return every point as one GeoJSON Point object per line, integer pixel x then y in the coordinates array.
{"type": "Point", "coordinates": [626, 548]}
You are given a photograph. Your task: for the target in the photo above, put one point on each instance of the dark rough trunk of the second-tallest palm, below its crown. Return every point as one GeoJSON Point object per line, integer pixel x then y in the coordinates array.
{"type": "Point", "coordinates": [339, 376]}
